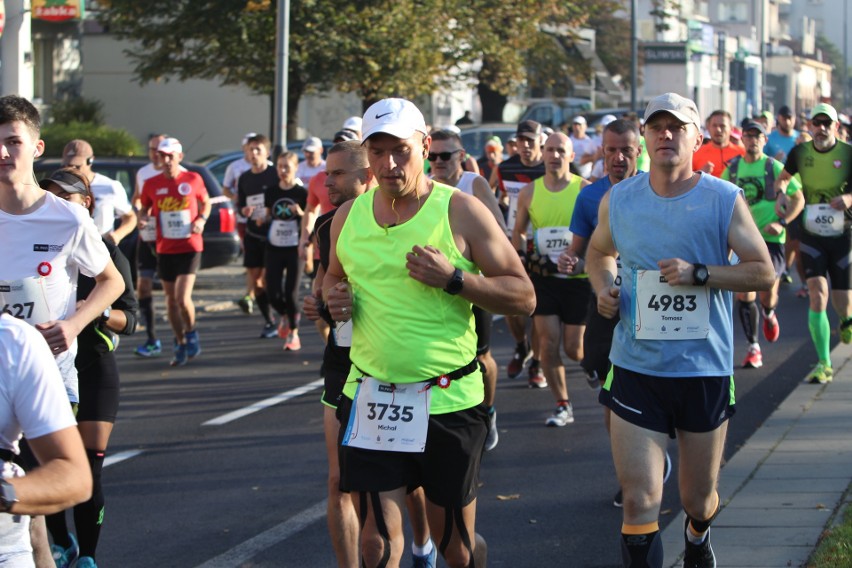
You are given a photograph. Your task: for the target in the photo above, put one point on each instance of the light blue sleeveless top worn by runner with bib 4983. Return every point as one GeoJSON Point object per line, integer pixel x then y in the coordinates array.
{"type": "Point", "coordinates": [696, 230]}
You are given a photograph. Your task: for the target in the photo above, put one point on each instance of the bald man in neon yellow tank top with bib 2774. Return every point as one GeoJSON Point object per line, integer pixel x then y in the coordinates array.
{"type": "Point", "coordinates": [561, 300]}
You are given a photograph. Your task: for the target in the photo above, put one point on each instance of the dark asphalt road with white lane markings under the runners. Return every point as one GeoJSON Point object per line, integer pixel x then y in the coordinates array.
{"type": "Point", "coordinates": [189, 483]}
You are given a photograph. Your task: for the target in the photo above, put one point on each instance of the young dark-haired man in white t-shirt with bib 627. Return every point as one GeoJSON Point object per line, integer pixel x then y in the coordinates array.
{"type": "Point", "coordinates": [53, 240]}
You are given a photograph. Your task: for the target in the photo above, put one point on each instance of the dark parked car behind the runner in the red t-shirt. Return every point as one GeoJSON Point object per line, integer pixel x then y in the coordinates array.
{"type": "Point", "coordinates": [221, 243]}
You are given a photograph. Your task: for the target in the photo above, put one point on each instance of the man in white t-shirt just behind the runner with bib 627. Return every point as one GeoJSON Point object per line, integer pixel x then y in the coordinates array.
{"type": "Point", "coordinates": [111, 201]}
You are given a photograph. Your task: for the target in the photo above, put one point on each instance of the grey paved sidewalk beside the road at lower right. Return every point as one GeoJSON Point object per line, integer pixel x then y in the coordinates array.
{"type": "Point", "coordinates": [788, 483]}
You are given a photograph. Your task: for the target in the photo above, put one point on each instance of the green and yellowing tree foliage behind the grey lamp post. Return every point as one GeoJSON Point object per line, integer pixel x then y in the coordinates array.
{"type": "Point", "coordinates": [404, 48]}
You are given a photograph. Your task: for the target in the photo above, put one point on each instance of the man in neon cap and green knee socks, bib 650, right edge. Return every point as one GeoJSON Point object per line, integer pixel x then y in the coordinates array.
{"type": "Point", "coordinates": [825, 168]}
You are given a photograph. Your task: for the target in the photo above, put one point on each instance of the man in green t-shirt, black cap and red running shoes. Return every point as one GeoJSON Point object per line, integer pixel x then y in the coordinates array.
{"type": "Point", "coordinates": [755, 173]}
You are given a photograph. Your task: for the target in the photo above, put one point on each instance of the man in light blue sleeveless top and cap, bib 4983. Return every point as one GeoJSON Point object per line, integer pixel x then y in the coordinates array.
{"type": "Point", "coordinates": [672, 352]}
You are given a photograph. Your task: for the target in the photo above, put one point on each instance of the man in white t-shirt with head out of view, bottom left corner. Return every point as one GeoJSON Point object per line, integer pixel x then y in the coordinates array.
{"type": "Point", "coordinates": [32, 399]}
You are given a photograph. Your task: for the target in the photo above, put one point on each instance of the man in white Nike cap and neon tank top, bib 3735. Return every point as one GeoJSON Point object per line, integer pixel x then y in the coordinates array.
{"type": "Point", "coordinates": [402, 269]}
